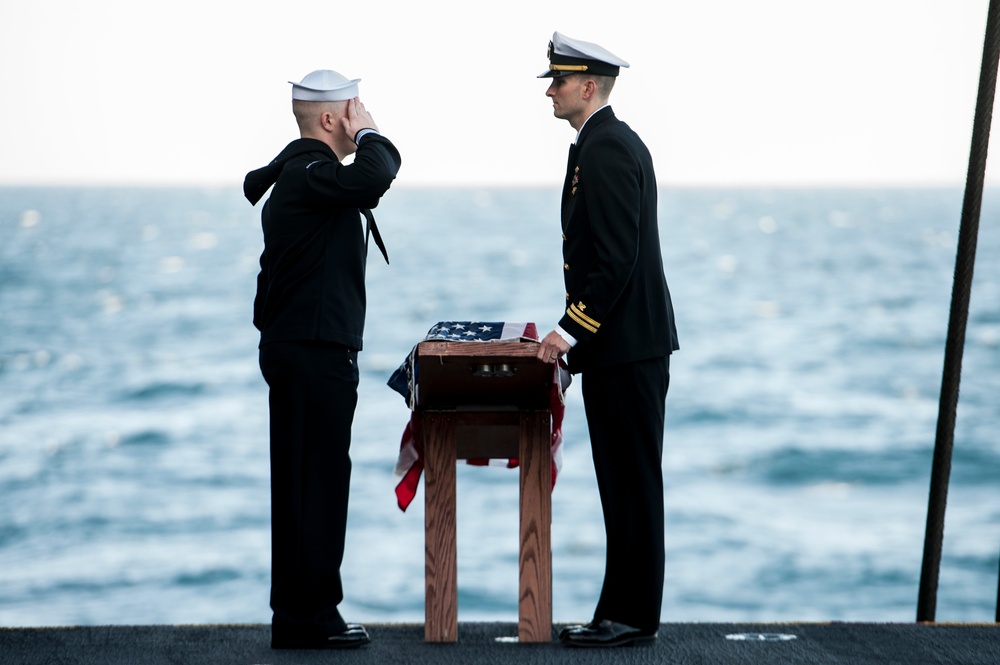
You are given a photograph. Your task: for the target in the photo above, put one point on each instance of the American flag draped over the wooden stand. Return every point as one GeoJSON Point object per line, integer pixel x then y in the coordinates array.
{"type": "Point", "coordinates": [410, 464]}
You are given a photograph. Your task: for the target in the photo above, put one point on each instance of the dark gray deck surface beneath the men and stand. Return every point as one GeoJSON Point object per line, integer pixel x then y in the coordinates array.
{"type": "Point", "coordinates": [694, 643]}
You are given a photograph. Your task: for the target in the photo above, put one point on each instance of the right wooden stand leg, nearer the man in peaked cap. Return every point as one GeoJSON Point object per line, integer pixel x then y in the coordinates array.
{"type": "Point", "coordinates": [535, 599]}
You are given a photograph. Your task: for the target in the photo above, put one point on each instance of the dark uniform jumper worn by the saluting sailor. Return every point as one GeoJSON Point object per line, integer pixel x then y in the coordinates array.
{"type": "Point", "coordinates": [311, 283]}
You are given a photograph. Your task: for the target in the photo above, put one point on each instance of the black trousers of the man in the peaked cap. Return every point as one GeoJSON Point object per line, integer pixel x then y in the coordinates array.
{"type": "Point", "coordinates": [625, 406]}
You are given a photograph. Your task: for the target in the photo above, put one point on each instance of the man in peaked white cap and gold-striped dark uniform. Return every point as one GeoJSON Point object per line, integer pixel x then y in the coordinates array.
{"type": "Point", "coordinates": [617, 332]}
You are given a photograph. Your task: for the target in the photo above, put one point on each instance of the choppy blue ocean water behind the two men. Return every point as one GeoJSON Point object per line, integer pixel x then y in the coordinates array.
{"type": "Point", "coordinates": [800, 420]}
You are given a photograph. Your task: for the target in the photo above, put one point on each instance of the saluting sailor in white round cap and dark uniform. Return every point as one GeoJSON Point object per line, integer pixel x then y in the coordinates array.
{"type": "Point", "coordinates": [310, 310]}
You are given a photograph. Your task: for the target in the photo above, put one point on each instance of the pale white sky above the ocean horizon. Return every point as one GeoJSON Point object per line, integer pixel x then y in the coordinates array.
{"type": "Point", "coordinates": [724, 92]}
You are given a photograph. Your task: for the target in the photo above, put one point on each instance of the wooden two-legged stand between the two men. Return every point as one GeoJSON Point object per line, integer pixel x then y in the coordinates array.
{"type": "Point", "coordinates": [485, 400]}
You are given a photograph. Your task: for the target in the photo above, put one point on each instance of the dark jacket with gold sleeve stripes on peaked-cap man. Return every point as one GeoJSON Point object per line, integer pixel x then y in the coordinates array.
{"type": "Point", "coordinates": [618, 304]}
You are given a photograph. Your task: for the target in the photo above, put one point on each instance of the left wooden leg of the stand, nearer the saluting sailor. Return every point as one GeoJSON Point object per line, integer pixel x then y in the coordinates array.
{"type": "Point", "coordinates": [441, 566]}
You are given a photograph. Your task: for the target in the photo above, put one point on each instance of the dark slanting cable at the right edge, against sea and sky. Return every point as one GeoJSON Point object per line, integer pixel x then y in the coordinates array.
{"type": "Point", "coordinates": [955, 344]}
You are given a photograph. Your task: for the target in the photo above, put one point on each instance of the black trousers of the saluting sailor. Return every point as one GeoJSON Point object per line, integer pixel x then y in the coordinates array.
{"type": "Point", "coordinates": [313, 395]}
